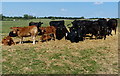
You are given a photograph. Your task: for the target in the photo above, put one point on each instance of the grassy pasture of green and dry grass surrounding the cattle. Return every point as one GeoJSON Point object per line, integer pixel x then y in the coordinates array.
{"type": "Point", "coordinates": [60, 56]}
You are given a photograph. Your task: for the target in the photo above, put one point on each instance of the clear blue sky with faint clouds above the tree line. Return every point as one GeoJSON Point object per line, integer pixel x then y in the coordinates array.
{"type": "Point", "coordinates": [67, 9]}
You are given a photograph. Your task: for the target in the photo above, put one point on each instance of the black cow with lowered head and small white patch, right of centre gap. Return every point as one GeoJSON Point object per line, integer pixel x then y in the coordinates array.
{"type": "Point", "coordinates": [77, 31]}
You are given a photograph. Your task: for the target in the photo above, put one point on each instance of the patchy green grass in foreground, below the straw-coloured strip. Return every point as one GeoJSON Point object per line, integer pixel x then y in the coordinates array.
{"type": "Point", "coordinates": [40, 61]}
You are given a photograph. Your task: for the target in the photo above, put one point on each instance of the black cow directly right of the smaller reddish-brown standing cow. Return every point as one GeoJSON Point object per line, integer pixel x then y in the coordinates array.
{"type": "Point", "coordinates": [61, 30]}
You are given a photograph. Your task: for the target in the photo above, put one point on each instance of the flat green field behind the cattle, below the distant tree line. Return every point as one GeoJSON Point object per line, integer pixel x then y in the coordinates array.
{"type": "Point", "coordinates": [20, 23]}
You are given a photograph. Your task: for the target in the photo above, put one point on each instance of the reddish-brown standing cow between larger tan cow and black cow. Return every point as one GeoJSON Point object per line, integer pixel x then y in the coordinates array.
{"type": "Point", "coordinates": [49, 30]}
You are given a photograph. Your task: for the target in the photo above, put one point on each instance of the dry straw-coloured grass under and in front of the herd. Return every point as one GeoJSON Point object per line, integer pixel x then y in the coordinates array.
{"type": "Point", "coordinates": [109, 60]}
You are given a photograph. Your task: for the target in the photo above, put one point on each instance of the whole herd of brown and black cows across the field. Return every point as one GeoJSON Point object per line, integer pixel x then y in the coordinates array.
{"type": "Point", "coordinates": [57, 30]}
